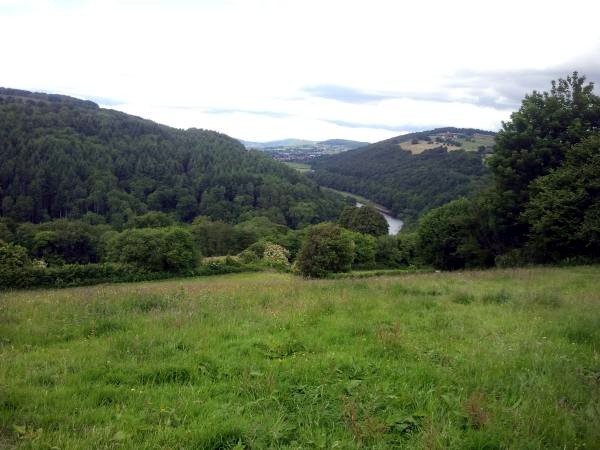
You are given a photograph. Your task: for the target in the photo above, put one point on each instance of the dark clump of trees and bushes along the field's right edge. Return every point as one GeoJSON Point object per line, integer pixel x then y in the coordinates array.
{"type": "Point", "coordinates": [543, 203]}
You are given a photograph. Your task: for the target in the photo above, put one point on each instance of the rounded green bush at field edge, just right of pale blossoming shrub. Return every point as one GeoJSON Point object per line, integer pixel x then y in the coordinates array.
{"type": "Point", "coordinates": [326, 249]}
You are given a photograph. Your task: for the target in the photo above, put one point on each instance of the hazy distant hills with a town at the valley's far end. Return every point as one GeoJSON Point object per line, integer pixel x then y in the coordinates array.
{"type": "Point", "coordinates": [299, 150]}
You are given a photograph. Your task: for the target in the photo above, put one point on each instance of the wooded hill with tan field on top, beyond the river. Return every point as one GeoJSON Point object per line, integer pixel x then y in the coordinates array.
{"type": "Point", "coordinates": [412, 173]}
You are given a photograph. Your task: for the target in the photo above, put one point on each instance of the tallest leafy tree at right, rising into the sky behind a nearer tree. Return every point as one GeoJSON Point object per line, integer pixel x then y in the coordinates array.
{"type": "Point", "coordinates": [535, 141]}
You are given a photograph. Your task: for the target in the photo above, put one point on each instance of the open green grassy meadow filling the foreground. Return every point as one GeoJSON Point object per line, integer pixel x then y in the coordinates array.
{"type": "Point", "coordinates": [495, 359]}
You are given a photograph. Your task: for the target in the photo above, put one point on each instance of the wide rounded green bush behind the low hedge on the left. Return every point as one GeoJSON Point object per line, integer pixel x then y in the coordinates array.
{"type": "Point", "coordinates": [155, 249]}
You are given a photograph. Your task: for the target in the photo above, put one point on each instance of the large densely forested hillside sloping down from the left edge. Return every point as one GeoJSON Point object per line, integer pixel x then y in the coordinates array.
{"type": "Point", "coordinates": [64, 157]}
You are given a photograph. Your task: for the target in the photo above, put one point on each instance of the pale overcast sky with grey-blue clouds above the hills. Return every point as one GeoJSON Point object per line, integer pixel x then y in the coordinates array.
{"type": "Point", "coordinates": [275, 69]}
